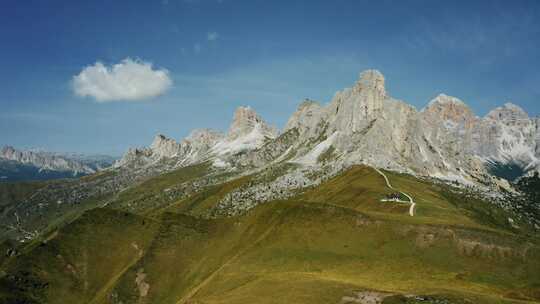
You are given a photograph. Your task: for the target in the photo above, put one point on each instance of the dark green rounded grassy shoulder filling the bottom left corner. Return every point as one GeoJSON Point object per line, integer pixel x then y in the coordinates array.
{"type": "Point", "coordinates": [81, 261]}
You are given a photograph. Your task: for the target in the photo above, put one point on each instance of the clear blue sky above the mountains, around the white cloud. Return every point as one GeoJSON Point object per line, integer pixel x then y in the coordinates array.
{"type": "Point", "coordinates": [220, 54]}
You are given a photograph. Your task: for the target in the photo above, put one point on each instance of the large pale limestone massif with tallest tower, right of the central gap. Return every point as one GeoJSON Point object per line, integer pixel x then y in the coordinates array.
{"type": "Point", "coordinates": [445, 139]}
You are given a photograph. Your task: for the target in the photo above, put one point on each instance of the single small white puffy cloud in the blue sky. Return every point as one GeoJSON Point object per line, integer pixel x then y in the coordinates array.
{"type": "Point", "coordinates": [128, 80]}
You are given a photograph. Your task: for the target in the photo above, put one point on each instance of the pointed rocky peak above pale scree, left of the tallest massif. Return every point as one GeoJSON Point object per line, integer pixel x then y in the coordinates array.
{"type": "Point", "coordinates": [245, 121]}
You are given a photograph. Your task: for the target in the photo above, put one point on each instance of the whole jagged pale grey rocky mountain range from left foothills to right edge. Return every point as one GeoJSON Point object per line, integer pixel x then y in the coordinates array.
{"type": "Point", "coordinates": [365, 125]}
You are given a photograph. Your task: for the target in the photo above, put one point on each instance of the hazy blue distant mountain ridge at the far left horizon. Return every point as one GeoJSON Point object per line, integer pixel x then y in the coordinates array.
{"type": "Point", "coordinates": [39, 165]}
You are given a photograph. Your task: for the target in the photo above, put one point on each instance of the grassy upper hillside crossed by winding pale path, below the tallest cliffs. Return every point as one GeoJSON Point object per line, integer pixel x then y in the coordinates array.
{"type": "Point", "coordinates": [362, 188]}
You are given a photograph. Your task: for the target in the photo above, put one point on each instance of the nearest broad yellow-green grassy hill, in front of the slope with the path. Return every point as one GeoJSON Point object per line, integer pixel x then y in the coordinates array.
{"type": "Point", "coordinates": [308, 249]}
